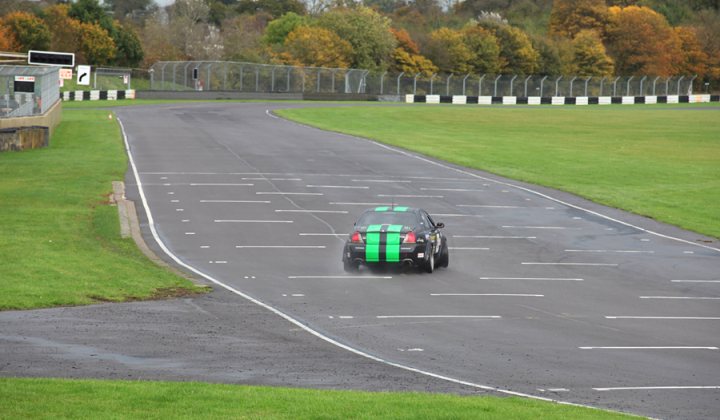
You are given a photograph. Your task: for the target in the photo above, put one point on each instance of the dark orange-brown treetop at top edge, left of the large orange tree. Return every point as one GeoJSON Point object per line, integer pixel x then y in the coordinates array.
{"type": "Point", "coordinates": [569, 17]}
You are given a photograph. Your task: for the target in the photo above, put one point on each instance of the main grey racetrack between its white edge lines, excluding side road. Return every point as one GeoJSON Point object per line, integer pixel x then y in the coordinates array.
{"type": "Point", "coordinates": [543, 297]}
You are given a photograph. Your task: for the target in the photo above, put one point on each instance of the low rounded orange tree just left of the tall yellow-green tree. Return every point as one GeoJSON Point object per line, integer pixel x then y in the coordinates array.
{"type": "Point", "coordinates": [316, 47]}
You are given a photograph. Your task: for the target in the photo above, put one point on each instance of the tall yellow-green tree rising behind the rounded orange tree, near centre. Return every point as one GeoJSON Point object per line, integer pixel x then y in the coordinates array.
{"type": "Point", "coordinates": [368, 33]}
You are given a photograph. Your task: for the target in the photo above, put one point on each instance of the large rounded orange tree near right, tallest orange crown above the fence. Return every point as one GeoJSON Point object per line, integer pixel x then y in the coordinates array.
{"type": "Point", "coordinates": [642, 42]}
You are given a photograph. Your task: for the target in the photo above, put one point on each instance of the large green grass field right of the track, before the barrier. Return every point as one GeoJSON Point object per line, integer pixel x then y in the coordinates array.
{"type": "Point", "coordinates": [661, 161]}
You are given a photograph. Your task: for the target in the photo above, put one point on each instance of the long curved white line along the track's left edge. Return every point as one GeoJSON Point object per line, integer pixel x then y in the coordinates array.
{"type": "Point", "coordinates": [296, 322]}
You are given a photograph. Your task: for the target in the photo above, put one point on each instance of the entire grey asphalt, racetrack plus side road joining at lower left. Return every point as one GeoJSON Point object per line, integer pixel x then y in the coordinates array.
{"type": "Point", "coordinates": [546, 294]}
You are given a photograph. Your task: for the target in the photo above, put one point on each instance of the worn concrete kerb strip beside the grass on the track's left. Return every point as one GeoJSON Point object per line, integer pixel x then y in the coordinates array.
{"type": "Point", "coordinates": [130, 227]}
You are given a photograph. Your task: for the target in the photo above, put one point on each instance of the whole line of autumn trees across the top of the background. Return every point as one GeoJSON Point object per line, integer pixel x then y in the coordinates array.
{"type": "Point", "coordinates": [579, 37]}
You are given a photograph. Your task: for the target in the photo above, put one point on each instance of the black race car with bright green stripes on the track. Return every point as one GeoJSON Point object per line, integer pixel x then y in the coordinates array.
{"type": "Point", "coordinates": [396, 236]}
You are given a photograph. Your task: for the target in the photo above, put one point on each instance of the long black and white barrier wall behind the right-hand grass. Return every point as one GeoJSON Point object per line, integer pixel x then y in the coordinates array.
{"type": "Point", "coordinates": [560, 100]}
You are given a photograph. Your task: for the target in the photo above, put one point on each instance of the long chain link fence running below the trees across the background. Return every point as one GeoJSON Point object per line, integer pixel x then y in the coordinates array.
{"type": "Point", "coordinates": [251, 77]}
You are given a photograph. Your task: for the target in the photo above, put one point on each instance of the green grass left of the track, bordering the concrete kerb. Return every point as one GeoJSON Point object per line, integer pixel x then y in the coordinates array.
{"type": "Point", "coordinates": [60, 239]}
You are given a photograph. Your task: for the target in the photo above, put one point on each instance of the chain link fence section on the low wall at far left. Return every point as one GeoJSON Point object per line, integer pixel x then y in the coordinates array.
{"type": "Point", "coordinates": [26, 91]}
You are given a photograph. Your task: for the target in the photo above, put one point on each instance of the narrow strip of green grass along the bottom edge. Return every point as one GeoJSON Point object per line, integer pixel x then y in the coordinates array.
{"type": "Point", "coordinates": [55, 398]}
